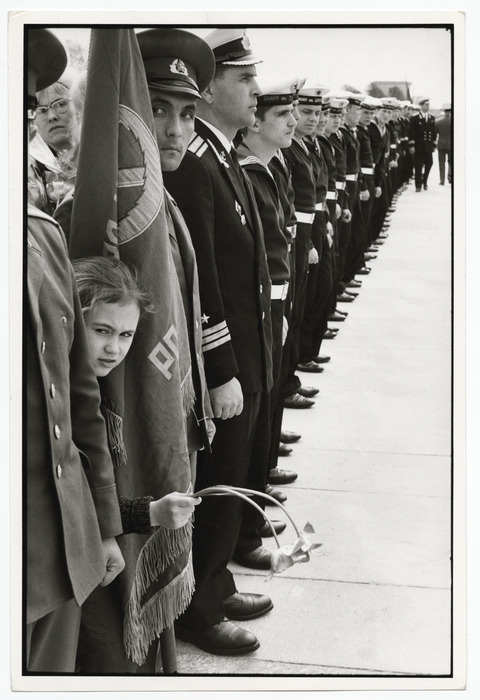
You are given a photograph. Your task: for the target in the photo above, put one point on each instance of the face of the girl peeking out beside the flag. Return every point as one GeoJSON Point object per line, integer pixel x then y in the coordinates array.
{"type": "Point", "coordinates": [110, 331]}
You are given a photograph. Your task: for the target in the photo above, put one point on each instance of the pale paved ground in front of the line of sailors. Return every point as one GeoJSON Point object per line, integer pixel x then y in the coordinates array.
{"type": "Point", "coordinates": [374, 479]}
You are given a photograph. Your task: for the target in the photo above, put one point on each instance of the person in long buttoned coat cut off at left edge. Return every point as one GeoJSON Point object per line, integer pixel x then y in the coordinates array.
{"type": "Point", "coordinates": [71, 507]}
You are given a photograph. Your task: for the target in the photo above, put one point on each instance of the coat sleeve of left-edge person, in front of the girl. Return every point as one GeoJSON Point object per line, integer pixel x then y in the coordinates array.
{"type": "Point", "coordinates": [88, 428]}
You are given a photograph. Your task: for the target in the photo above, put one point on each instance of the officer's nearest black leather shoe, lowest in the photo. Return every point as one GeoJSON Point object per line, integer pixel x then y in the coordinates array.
{"type": "Point", "coordinates": [225, 638]}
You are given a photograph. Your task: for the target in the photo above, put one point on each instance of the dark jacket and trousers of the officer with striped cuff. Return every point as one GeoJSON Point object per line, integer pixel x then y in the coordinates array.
{"type": "Point", "coordinates": [218, 205]}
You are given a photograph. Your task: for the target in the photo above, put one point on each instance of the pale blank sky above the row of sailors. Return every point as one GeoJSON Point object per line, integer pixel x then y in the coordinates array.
{"type": "Point", "coordinates": [353, 55]}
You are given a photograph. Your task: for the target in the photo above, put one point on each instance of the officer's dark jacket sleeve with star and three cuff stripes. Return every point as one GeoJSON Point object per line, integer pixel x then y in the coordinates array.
{"type": "Point", "coordinates": [193, 189]}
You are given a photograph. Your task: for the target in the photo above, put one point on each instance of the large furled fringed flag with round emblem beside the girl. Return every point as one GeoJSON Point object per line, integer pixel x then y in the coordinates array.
{"type": "Point", "coordinates": [119, 210]}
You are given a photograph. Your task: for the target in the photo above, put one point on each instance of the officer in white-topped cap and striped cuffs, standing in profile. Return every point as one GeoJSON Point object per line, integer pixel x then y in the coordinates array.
{"type": "Point", "coordinates": [218, 204]}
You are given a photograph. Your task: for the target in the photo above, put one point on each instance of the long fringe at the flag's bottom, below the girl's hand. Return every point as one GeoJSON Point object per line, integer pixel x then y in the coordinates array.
{"type": "Point", "coordinates": [143, 624]}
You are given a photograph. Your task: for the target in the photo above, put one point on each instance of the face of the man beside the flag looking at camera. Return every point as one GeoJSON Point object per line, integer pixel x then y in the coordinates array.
{"type": "Point", "coordinates": [174, 115]}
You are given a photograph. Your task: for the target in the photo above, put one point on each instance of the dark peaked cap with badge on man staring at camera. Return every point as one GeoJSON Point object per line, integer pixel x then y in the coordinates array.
{"type": "Point", "coordinates": [176, 61]}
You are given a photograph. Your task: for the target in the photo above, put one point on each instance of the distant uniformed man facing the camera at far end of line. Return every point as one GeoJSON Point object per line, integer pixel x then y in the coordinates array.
{"type": "Point", "coordinates": [422, 138]}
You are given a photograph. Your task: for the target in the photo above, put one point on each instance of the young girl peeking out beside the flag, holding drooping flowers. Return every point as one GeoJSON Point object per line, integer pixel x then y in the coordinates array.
{"type": "Point", "coordinates": [112, 303]}
